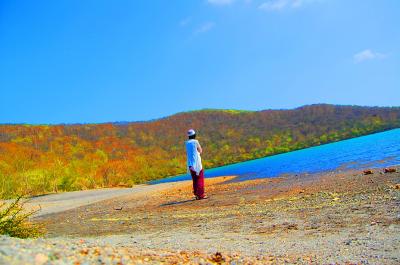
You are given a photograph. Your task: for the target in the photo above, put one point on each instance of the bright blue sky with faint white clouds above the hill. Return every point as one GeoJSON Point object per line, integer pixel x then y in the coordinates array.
{"type": "Point", "coordinates": [69, 61]}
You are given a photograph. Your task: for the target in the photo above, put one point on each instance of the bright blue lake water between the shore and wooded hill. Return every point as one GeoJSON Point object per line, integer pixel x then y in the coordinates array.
{"type": "Point", "coordinates": [376, 150]}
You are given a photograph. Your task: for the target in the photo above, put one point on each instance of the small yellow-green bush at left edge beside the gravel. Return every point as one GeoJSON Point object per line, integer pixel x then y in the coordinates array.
{"type": "Point", "coordinates": [14, 221]}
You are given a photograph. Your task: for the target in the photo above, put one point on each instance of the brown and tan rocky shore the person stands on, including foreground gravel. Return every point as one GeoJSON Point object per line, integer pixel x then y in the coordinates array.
{"type": "Point", "coordinates": [334, 218]}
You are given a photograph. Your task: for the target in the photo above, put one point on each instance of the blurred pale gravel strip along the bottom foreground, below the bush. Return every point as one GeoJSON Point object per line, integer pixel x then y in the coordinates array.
{"type": "Point", "coordinates": [117, 251]}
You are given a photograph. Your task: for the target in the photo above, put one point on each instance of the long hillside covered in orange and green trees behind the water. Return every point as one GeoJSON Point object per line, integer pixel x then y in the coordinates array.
{"type": "Point", "coordinates": [45, 158]}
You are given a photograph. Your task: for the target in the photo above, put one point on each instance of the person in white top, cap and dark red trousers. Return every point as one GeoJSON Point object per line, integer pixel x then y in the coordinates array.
{"type": "Point", "coordinates": [195, 168]}
